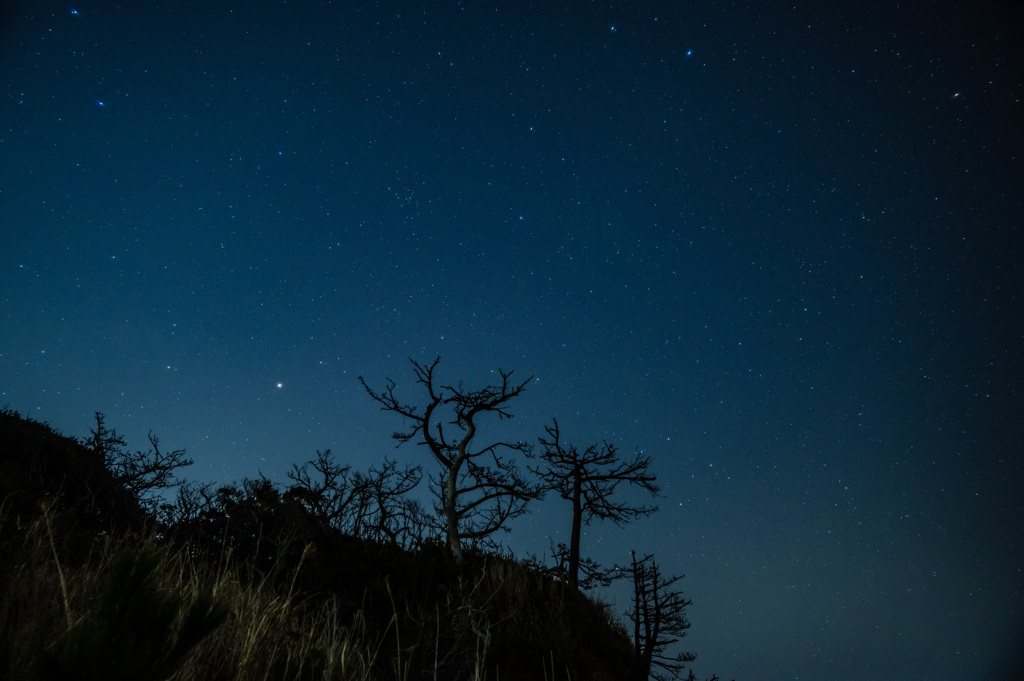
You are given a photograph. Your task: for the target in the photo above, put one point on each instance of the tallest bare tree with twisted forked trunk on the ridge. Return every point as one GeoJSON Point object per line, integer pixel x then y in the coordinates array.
{"type": "Point", "coordinates": [479, 490]}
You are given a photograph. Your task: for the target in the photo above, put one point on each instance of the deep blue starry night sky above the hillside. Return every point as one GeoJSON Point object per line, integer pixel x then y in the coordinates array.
{"type": "Point", "coordinates": [772, 245]}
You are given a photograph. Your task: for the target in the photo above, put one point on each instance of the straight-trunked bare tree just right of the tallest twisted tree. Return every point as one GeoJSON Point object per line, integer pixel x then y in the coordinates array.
{"type": "Point", "coordinates": [589, 479]}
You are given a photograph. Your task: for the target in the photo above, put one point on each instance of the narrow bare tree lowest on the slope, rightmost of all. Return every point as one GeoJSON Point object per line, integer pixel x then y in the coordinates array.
{"type": "Point", "coordinates": [659, 618]}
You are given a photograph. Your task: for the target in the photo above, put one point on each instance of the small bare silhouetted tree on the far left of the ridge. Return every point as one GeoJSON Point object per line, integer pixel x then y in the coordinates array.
{"type": "Point", "coordinates": [142, 474]}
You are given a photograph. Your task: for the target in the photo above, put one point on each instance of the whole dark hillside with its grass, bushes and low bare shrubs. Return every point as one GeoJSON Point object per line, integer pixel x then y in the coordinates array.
{"type": "Point", "coordinates": [112, 568]}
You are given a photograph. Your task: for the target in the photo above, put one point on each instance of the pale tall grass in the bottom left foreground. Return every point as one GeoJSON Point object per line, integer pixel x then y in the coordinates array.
{"type": "Point", "coordinates": [135, 610]}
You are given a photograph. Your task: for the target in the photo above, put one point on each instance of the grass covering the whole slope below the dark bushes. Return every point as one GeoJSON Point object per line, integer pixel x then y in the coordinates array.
{"type": "Point", "coordinates": [136, 609]}
